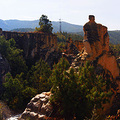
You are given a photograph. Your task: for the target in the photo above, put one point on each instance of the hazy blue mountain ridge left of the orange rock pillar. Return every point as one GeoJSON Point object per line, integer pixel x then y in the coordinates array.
{"type": "Point", "coordinates": [9, 25]}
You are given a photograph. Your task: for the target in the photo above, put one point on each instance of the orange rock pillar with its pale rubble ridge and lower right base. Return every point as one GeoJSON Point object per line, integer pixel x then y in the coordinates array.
{"type": "Point", "coordinates": [104, 61]}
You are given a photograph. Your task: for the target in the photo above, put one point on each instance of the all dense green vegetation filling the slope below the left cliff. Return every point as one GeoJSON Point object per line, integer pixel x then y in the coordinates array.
{"type": "Point", "coordinates": [21, 84]}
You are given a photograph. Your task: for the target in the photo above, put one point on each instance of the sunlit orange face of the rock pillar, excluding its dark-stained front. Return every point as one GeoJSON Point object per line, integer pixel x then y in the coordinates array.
{"type": "Point", "coordinates": [99, 50]}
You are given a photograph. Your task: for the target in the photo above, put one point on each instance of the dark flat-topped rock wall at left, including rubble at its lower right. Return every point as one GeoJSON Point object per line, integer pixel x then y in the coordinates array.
{"type": "Point", "coordinates": [35, 45]}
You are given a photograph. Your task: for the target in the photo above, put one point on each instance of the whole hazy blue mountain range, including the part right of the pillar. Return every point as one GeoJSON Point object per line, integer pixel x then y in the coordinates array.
{"type": "Point", "coordinates": [26, 26]}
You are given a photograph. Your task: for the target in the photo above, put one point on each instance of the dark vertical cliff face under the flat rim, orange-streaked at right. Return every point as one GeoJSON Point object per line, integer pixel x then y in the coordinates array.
{"type": "Point", "coordinates": [32, 43]}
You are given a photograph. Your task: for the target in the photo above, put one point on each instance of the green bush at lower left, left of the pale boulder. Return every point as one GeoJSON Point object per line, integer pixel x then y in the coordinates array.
{"type": "Point", "coordinates": [16, 94]}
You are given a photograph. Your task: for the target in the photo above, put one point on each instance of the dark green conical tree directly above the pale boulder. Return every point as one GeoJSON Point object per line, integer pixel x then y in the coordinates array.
{"type": "Point", "coordinates": [38, 76]}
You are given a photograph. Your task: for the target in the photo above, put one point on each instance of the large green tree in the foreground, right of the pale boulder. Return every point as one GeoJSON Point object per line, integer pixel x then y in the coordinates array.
{"type": "Point", "coordinates": [76, 94]}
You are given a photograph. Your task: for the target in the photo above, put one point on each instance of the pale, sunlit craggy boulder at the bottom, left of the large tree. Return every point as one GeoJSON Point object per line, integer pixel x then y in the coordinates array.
{"type": "Point", "coordinates": [38, 108]}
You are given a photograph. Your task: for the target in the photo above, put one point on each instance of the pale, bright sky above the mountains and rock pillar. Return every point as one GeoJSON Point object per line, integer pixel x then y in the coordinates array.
{"type": "Point", "coordinates": [73, 11]}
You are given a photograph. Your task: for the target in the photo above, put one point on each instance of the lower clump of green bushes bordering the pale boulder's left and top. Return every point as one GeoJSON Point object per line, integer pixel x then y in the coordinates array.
{"type": "Point", "coordinates": [19, 90]}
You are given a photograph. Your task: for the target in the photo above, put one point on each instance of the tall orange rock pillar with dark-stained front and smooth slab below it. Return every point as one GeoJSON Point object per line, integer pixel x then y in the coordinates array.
{"type": "Point", "coordinates": [97, 47]}
